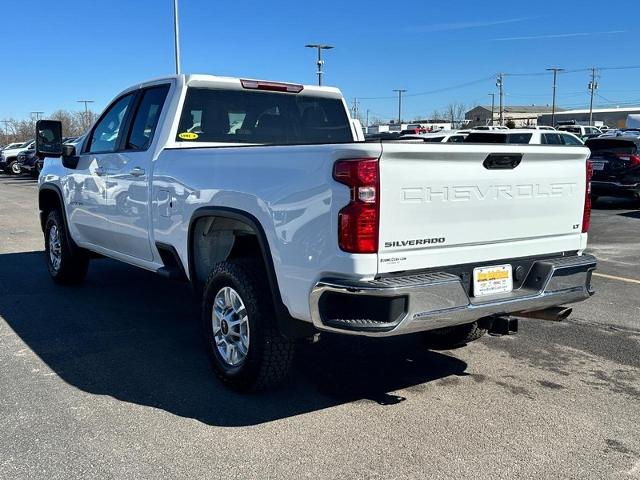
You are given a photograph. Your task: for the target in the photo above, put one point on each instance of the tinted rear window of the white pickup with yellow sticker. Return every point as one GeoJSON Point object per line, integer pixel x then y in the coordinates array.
{"type": "Point", "coordinates": [239, 116]}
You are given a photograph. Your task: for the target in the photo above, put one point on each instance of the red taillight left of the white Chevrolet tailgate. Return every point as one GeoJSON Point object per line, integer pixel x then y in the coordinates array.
{"type": "Point", "coordinates": [358, 221]}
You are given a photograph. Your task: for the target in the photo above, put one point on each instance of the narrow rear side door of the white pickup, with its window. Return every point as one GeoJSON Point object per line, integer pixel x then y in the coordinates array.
{"type": "Point", "coordinates": [129, 173]}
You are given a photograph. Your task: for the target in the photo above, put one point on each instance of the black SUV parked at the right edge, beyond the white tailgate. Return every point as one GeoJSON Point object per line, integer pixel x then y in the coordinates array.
{"type": "Point", "coordinates": [616, 166]}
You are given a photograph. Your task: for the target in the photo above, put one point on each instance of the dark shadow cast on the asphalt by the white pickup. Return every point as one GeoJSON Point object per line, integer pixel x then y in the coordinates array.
{"type": "Point", "coordinates": [134, 336]}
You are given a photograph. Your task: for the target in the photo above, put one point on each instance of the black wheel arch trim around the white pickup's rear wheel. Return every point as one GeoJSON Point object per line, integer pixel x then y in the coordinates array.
{"type": "Point", "coordinates": [288, 325]}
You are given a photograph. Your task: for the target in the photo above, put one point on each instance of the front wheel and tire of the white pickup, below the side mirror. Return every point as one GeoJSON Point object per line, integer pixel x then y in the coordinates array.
{"type": "Point", "coordinates": [67, 264]}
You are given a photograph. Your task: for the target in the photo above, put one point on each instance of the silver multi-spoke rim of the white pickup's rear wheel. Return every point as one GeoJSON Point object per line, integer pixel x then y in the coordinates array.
{"type": "Point", "coordinates": [230, 326]}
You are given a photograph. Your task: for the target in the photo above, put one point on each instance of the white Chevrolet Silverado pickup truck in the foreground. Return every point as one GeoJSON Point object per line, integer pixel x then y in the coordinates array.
{"type": "Point", "coordinates": [263, 196]}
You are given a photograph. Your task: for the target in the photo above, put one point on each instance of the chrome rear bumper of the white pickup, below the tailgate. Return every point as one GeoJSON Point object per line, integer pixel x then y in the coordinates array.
{"type": "Point", "coordinates": [438, 299]}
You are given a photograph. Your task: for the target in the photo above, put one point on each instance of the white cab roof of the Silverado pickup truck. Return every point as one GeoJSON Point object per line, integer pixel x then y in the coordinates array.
{"type": "Point", "coordinates": [234, 83]}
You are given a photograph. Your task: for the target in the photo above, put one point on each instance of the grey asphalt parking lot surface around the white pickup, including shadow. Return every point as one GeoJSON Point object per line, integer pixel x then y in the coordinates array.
{"type": "Point", "coordinates": [109, 380]}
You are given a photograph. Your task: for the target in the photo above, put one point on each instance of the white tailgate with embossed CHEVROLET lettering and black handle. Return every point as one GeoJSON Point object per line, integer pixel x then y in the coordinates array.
{"type": "Point", "coordinates": [446, 204]}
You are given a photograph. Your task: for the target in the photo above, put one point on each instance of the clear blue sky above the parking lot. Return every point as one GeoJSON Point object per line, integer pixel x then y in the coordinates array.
{"type": "Point", "coordinates": [55, 53]}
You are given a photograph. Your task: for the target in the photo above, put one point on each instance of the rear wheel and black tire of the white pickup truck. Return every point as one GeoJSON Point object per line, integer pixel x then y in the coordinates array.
{"type": "Point", "coordinates": [245, 348]}
